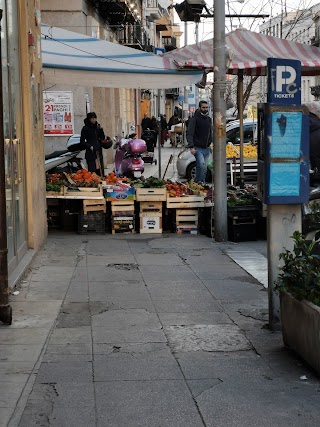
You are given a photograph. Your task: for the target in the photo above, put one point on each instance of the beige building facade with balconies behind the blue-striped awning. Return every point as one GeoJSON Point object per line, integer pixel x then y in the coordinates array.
{"type": "Point", "coordinates": [136, 24]}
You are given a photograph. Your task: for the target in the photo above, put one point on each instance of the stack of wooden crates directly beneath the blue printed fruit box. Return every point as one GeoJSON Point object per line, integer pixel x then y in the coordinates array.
{"type": "Point", "coordinates": [122, 216]}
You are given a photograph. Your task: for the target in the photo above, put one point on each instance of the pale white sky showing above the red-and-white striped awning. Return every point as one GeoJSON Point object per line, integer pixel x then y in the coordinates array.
{"type": "Point", "coordinates": [271, 7]}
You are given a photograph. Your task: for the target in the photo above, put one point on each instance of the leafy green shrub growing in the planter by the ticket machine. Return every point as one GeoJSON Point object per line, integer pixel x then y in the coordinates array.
{"type": "Point", "coordinates": [300, 273]}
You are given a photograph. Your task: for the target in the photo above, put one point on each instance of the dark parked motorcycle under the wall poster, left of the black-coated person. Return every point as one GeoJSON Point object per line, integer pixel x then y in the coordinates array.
{"type": "Point", "coordinates": [66, 160]}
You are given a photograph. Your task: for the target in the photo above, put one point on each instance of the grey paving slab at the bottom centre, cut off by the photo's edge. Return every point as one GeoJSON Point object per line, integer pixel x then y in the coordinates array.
{"type": "Point", "coordinates": [145, 404]}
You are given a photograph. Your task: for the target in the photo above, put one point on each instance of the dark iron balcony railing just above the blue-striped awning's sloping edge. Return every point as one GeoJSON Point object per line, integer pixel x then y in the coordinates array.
{"type": "Point", "coordinates": [135, 36]}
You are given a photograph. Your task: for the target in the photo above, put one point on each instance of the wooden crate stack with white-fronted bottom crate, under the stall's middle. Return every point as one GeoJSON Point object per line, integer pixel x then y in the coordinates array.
{"type": "Point", "coordinates": [151, 208]}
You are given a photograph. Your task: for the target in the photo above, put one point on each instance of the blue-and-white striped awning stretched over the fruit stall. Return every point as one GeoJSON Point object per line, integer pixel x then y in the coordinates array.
{"type": "Point", "coordinates": [73, 58]}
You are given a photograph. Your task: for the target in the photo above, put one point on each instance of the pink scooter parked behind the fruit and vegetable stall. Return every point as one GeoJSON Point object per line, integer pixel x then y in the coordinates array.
{"type": "Point", "coordinates": [128, 161]}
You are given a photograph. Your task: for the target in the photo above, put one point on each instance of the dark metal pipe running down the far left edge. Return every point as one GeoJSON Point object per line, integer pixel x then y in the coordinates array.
{"type": "Point", "coordinates": [5, 308]}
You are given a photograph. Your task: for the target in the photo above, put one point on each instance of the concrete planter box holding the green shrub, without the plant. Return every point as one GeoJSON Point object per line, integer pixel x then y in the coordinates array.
{"type": "Point", "coordinates": [301, 328]}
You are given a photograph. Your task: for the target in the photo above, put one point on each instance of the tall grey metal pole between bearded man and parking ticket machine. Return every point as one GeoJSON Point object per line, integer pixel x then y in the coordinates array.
{"type": "Point", "coordinates": [219, 124]}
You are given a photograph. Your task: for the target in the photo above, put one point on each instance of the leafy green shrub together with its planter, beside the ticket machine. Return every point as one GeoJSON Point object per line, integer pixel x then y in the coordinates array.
{"type": "Point", "coordinates": [299, 287]}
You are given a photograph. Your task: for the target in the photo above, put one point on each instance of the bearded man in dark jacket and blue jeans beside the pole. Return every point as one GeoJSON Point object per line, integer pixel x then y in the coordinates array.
{"type": "Point", "coordinates": [199, 138]}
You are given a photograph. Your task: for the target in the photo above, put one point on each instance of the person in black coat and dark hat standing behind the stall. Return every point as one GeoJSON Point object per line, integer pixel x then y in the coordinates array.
{"type": "Point", "coordinates": [92, 135]}
